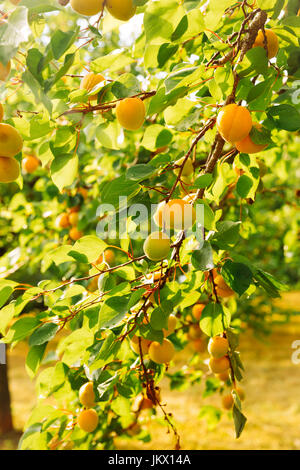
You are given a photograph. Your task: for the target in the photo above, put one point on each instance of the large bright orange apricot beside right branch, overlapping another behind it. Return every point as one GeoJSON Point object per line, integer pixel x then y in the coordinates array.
{"type": "Point", "coordinates": [234, 122]}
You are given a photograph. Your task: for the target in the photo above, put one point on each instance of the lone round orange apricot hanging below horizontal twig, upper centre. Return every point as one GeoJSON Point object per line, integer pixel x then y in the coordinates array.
{"type": "Point", "coordinates": [131, 113]}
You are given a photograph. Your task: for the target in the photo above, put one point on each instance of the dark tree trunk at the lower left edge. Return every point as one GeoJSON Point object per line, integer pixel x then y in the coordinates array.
{"type": "Point", "coordinates": [6, 423]}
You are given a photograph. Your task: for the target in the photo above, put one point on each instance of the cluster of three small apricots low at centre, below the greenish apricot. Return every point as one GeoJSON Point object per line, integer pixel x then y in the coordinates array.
{"type": "Point", "coordinates": [160, 353]}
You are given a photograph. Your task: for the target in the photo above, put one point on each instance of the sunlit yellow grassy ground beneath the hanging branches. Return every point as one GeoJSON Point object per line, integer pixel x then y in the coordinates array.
{"type": "Point", "coordinates": [272, 405]}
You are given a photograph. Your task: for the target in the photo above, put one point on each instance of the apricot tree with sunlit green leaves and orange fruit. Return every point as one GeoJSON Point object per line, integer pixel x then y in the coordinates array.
{"type": "Point", "coordinates": [107, 270]}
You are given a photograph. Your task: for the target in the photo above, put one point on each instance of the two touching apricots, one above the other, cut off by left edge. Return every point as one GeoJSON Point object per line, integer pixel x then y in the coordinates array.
{"type": "Point", "coordinates": [11, 143]}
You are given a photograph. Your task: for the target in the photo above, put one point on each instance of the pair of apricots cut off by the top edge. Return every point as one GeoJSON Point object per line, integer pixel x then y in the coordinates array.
{"type": "Point", "coordinates": [120, 9]}
